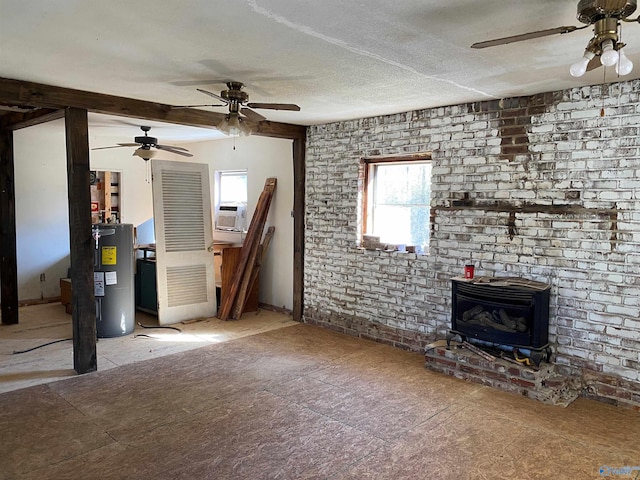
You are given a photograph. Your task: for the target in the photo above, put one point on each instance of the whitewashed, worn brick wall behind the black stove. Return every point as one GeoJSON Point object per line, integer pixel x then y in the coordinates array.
{"type": "Point", "coordinates": [553, 194]}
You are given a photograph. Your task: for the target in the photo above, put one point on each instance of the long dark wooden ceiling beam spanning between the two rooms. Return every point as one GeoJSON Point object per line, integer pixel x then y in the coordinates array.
{"type": "Point", "coordinates": [29, 94]}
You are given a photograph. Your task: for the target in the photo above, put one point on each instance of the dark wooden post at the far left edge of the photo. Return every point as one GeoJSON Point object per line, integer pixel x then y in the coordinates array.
{"type": "Point", "coordinates": [8, 258]}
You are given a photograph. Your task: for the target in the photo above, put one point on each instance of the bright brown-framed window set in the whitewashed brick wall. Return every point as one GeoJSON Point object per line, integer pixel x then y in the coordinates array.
{"type": "Point", "coordinates": [397, 200]}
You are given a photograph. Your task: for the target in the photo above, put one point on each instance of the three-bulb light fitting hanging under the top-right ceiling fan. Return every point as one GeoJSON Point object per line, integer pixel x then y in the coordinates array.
{"type": "Point", "coordinates": [605, 44]}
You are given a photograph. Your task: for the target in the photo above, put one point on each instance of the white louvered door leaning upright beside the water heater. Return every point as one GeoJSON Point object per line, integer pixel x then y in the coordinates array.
{"type": "Point", "coordinates": [184, 235]}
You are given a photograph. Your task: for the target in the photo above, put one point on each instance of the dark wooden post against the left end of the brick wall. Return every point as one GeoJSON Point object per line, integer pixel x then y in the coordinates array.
{"type": "Point", "coordinates": [299, 172]}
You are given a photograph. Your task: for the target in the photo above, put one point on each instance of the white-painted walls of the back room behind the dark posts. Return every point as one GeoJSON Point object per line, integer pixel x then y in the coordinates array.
{"type": "Point", "coordinates": [42, 207]}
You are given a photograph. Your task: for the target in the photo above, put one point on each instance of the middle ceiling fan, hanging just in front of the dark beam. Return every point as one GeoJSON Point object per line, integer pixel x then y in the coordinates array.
{"type": "Point", "coordinates": [240, 109]}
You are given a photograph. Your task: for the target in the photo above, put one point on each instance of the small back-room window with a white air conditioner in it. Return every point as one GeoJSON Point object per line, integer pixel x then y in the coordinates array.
{"type": "Point", "coordinates": [231, 200]}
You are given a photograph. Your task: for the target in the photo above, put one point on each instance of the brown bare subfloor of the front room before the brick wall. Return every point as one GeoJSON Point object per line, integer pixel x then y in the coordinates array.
{"type": "Point", "coordinates": [298, 402]}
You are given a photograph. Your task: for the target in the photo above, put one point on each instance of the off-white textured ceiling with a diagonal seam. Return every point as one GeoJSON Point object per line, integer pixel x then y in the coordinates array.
{"type": "Point", "coordinates": [337, 59]}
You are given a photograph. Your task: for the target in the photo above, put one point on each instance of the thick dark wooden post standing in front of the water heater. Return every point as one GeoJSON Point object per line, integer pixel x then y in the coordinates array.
{"type": "Point", "coordinates": [82, 245]}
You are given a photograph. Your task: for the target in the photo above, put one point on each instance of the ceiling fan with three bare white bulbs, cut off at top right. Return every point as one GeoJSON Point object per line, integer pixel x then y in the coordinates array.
{"type": "Point", "coordinates": [605, 45]}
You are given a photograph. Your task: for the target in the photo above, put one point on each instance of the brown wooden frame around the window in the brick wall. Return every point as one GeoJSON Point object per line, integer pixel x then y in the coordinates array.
{"type": "Point", "coordinates": [367, 166]}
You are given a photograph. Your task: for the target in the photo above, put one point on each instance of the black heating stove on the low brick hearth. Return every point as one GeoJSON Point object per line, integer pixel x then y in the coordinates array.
{"type": "Point", "coordinates": [502, 311]}
